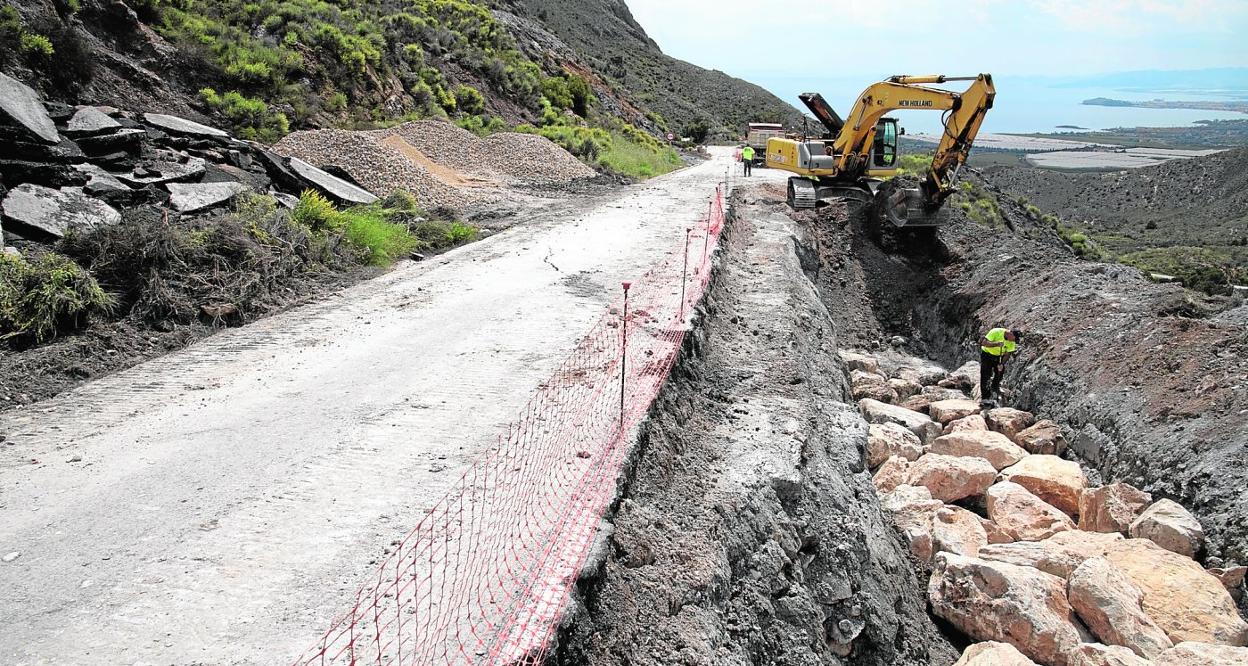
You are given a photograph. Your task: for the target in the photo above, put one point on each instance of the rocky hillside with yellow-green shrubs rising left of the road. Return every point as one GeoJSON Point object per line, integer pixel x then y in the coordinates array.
{"type": "Point", "coordinates": [266, 68]}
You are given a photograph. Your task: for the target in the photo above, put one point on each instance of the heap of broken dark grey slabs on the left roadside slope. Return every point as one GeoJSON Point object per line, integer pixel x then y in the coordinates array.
{"type": "Point", "coordinates": [77, 168]}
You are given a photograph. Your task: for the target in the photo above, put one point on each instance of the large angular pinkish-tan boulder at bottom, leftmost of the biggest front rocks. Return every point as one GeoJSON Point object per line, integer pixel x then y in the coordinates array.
{"type": "Point", "coordinates": [998, 602]}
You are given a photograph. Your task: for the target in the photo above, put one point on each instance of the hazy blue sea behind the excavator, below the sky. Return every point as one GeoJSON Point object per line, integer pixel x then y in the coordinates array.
{"type": "Point", "coordinates": [1029, 105]}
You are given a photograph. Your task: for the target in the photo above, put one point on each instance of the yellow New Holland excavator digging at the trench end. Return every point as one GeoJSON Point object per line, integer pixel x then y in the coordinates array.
{"type": "Point", "coordinates": [858, 158]}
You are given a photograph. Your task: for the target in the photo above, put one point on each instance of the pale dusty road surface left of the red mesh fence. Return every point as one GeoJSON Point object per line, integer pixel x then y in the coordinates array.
{"type": "Point", "coordinates": [223, 504]}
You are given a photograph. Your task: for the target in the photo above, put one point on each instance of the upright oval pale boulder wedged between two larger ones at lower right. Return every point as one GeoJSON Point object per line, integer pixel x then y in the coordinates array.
{"type": "Point", "coordinates": [1110, 606]}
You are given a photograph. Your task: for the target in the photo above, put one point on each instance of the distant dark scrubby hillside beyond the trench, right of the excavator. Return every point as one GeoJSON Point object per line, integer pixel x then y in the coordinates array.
{"type": "Point", "coordinates": [1187, 218]}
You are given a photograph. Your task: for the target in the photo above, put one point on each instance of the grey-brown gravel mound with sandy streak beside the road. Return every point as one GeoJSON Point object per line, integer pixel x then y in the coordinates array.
{"type": "Point", "coordinates": [467, 170]}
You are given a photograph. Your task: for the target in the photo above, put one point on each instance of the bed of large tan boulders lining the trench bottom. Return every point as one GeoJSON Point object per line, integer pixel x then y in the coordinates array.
{"type": "Point", "coordinates": [1028, 558]}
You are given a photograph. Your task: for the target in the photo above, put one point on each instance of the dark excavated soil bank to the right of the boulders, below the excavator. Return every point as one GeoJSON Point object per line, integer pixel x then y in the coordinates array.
{"type": "Point", "coordinates": [1153, 385]}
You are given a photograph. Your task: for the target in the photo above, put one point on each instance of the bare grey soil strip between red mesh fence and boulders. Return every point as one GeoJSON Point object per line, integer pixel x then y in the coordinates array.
{"type": "Point", "coordinates": [749, 532]}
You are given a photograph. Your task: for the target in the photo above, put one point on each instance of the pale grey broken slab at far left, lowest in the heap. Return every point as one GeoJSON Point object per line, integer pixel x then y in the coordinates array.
{"type": "Point", "coordinates": [41, 213]}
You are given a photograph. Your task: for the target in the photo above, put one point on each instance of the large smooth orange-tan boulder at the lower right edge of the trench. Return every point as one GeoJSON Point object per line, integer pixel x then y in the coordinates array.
{"type": "Point", "coordinates": [1189, 603]}
